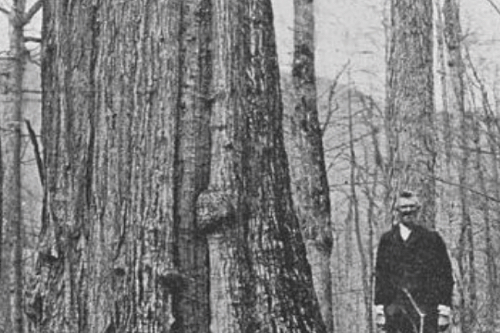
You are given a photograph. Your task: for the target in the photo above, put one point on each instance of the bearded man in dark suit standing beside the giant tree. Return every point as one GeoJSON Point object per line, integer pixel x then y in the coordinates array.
{"type": "Point", "coordinates": [413, 276]}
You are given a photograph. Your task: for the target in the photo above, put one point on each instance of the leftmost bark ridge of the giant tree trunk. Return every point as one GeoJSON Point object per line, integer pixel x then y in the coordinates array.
{"type": "Point", "coordinates": [68, 136]}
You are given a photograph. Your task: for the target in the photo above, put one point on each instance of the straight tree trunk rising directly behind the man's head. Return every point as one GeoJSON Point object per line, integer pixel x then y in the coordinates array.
{"type": "Point", "coordinates": [410, 105]}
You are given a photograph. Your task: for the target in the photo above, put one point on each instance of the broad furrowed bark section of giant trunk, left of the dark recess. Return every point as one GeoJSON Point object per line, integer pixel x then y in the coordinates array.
{"type": "Point", "coordinates": [138, 80]}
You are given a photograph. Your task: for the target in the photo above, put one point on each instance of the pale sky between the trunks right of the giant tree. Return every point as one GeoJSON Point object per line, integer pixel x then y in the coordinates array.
{"type": "Point", "coordinates": [352, 31]}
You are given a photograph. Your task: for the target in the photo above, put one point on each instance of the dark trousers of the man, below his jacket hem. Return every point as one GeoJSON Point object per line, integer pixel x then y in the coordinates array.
{"type": "Point", "coordinates": [402, 317]}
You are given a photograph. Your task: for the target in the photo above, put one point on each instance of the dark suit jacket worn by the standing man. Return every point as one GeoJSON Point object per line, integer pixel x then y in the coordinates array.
{"type": "Point", "coordinates": [420, 264]}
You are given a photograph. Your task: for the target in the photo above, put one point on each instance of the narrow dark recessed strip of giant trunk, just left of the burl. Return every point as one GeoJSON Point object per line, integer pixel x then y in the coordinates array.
{"type": "Point", "coordinates": [192, 164]}
